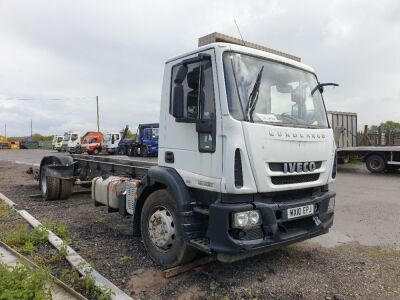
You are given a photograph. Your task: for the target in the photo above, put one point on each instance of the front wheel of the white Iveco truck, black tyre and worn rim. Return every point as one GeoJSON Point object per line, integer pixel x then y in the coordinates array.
{"type": "Point", "coordinates": [162, 232]}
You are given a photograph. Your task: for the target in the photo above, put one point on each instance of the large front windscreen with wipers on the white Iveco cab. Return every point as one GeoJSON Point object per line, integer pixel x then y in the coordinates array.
{"type": "Point", "coordinates": [260, 90]}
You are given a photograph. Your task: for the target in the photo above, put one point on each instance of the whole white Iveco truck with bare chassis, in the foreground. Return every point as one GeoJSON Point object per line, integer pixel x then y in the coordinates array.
{"type": "Point", "coordinates": [245, 160]}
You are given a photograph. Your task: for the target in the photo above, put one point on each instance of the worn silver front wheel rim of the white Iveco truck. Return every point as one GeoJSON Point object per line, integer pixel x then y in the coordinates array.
{"type": "Point", "coordinates": [161, 228]}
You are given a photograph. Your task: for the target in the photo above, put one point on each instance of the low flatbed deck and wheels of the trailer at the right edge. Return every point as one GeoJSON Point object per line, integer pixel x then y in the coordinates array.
{"type": "Point", "coordinates": [378, 159]}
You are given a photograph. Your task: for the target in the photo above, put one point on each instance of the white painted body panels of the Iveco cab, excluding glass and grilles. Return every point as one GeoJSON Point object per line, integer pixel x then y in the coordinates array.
{"type": "Point", "coordinates": [215, 172]}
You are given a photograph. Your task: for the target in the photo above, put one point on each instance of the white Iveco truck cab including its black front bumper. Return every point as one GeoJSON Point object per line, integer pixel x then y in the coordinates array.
{"type": "Point", "coordinates": [247, 131]}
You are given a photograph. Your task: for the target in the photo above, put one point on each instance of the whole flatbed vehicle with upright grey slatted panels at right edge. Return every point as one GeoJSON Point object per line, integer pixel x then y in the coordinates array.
{"type": "Point", "coordinates": [379, 151]}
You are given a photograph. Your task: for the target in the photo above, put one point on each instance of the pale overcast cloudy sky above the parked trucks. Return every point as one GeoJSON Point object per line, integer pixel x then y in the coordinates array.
{"type": "Point", "coordinates": [57, 56]}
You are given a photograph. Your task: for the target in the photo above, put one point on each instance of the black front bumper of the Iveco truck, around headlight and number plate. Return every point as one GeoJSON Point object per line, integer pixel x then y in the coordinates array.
{"type": "Point", "coordinates": [276, 229]}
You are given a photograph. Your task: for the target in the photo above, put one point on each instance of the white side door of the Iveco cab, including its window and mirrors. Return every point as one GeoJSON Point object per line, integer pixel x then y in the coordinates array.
{"type": "Point", "coordinates": [190, 140]}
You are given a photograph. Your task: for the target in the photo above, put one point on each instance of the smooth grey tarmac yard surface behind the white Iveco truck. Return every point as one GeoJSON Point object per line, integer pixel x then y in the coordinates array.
{"type": "Point", "coordinates": [367, 205]}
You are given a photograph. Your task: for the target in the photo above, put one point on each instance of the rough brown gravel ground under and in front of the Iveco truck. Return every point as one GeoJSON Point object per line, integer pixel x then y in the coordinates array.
{"type": "Point", "coordinates": [301, 271]}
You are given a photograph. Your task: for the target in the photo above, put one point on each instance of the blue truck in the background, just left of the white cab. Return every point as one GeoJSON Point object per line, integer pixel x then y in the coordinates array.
{"type": "Point", "coordinates": [146, 143]}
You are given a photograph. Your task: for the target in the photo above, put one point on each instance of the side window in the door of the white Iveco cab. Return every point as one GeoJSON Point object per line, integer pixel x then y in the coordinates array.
{"type": "Point", "coordinates": [193, 83]}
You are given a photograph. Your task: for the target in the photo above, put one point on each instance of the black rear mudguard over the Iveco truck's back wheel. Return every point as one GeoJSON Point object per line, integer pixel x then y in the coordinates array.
{"type": "Point", "coordinates": [61, 167]}
